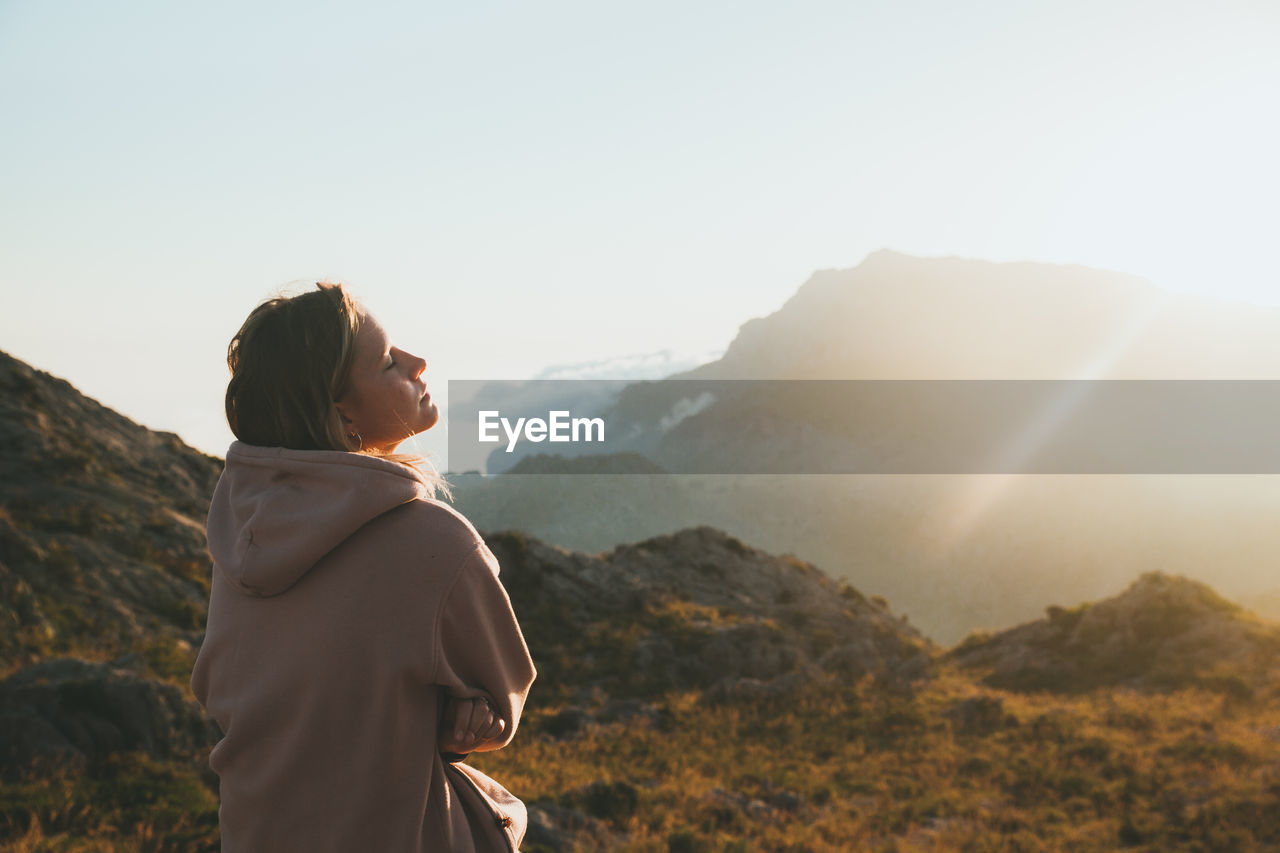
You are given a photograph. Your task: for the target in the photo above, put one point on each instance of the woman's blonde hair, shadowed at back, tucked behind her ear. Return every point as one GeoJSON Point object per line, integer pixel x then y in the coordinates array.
{"type": "Point", "coordinates": [290, 362]}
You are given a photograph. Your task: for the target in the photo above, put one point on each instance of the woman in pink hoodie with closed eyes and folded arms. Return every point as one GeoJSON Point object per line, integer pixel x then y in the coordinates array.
{"type": "Point", "coordinates": [359, 640]}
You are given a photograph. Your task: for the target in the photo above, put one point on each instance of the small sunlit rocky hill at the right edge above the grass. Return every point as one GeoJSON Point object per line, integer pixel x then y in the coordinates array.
{"type": "Point", "coordinates": [1163, 632]}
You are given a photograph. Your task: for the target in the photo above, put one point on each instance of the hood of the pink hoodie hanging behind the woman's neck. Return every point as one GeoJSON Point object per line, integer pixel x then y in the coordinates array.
{"type": "Point", "coordinates": [277, 512]}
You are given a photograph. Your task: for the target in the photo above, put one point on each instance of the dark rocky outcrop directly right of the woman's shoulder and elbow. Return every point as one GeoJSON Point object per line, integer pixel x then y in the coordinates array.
{"type": "Point", "coordinates": [700, 609]}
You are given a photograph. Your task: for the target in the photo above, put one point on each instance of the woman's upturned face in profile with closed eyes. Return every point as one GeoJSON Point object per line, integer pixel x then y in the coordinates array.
{"type": "Point", "coordinates": [386, 400]}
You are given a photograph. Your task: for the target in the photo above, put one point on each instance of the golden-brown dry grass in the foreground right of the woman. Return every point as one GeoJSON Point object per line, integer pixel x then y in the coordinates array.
{"type": "Point", "coordinates": [862, 769]}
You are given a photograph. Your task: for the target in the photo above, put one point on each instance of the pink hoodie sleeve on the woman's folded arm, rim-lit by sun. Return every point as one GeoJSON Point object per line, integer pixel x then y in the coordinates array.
{"type": "Point", "coordinates": [481, 651]}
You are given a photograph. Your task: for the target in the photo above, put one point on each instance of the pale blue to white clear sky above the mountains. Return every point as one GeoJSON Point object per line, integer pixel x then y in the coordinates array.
{"type": "Point", "coordinates": [516, 188]}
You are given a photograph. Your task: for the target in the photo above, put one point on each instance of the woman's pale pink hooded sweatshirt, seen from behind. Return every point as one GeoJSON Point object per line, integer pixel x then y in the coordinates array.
{"type": "Point", "coordinates": [346, 605]}
